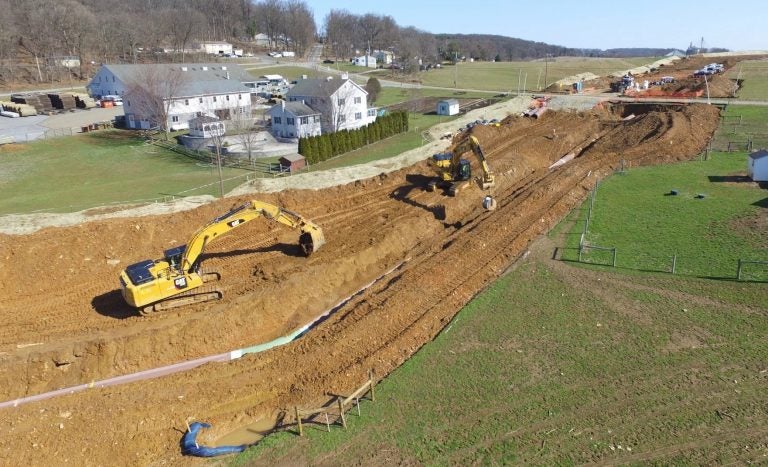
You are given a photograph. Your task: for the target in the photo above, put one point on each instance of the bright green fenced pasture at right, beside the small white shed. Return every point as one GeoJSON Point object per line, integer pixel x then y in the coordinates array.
{"type": "Point", "coordinates": [636, 214]}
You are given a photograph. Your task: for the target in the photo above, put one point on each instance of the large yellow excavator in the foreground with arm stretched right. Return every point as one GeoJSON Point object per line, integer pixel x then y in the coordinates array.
{"type": "Point", "coordinates": [177, 279]}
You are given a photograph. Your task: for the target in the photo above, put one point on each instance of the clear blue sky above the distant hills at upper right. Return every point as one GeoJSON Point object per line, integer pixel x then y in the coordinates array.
{"type": "Point", "coordinates": [600, 24]}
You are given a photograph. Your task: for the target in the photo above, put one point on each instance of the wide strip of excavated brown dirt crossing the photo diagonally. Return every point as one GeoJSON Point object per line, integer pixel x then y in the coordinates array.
{"type": "Point", "coordinates": [65, 323]}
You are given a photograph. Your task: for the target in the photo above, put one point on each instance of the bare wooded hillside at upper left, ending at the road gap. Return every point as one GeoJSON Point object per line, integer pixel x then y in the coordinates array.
{"type": "Point", "coordinates": [36, 34]}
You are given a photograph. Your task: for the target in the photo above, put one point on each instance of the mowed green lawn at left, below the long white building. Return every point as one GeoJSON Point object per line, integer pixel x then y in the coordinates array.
{"type": "Point", "coordinates": [73, 173]}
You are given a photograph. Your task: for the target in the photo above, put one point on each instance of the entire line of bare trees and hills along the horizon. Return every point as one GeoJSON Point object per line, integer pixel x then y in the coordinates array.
{"type": "Point", "coordinates": [35, 34]}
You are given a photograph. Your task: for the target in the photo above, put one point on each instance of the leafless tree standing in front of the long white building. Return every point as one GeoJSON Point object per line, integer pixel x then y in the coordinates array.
{"type": "Point", "coordinates": [152, 94]}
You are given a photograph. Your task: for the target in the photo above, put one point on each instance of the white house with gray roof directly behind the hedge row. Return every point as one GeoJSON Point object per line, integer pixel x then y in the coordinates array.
{"type": "Point", "coordinates": [342, 103]}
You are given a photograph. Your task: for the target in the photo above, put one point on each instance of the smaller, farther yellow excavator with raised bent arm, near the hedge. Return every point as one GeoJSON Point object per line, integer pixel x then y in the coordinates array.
{"type": "Point", "coordinates": [454, 172]}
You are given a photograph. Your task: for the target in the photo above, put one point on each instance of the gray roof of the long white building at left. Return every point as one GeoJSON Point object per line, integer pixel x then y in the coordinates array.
{"type": "Point", "coordinates": [198, 78]}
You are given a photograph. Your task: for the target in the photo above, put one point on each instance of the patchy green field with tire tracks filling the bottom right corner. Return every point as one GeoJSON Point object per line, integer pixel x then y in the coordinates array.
{"type": "Point", "coordinates": [559, 365]}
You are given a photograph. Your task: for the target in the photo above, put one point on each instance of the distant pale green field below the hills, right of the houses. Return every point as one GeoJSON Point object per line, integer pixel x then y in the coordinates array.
{"type": "Point", "coordinates": [504, 76]}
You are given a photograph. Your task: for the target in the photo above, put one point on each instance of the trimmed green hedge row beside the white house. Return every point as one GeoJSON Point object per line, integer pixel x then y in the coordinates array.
{"type": "Point", "coordinates": [319, 148]}
